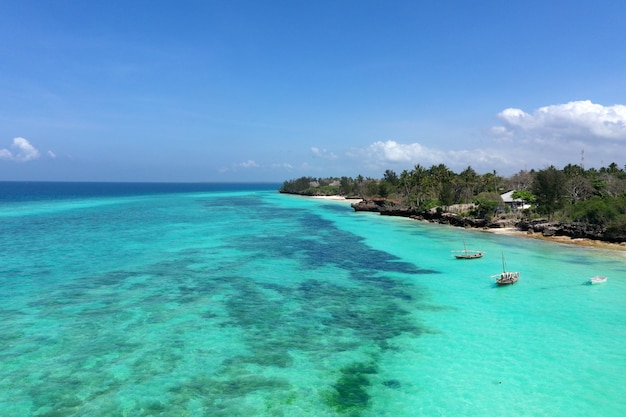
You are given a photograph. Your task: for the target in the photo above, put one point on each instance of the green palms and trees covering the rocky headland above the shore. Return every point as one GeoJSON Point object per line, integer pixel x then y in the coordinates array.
{"type": "Point", "coordinates": [570, 194]}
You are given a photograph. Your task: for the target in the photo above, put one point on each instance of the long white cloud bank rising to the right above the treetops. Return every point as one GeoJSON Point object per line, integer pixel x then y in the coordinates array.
{"type": "Point", "coordinates": [551, 135]}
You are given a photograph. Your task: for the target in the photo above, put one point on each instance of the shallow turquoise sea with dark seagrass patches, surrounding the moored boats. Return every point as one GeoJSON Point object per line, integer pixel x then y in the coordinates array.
{"type": "Point", "coordinates": [245, 302]}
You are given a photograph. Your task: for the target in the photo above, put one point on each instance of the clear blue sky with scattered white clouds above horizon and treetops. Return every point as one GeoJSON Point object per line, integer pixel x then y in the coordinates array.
{"type": "Point", "coordinates": [267, 91]}
